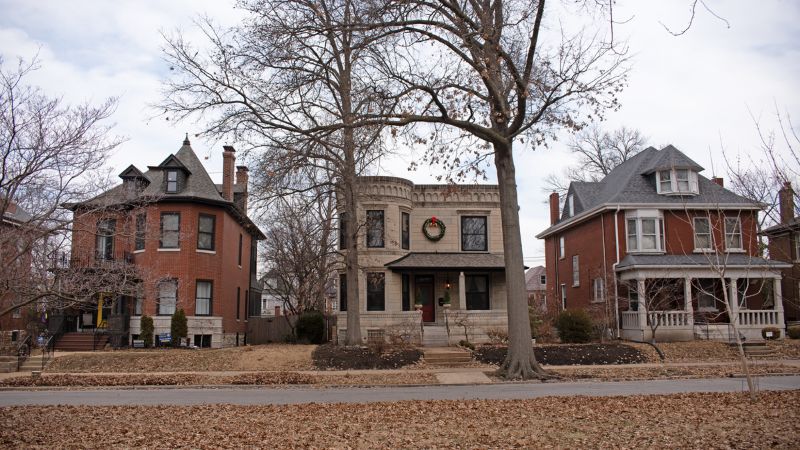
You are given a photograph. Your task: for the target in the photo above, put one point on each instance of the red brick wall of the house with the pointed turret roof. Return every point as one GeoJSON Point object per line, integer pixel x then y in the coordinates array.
{"type": "Point", "coordinates": [186, 265]}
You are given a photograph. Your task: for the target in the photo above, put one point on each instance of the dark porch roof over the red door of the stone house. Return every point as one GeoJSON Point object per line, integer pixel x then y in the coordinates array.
{"type": "Point", "coordinates": [447, 261]}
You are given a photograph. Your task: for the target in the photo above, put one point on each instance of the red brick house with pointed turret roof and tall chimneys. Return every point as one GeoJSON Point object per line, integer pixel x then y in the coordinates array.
{"type": "Point", "coordinates": [191, 241]}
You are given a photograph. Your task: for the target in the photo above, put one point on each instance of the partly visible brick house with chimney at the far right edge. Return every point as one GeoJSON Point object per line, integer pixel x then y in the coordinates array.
{"type": "Point", "coordinates": [784, 245]}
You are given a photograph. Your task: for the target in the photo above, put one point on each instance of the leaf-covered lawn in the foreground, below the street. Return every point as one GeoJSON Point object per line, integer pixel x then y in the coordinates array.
{"type": "Point", "coordinates": [674, 421]}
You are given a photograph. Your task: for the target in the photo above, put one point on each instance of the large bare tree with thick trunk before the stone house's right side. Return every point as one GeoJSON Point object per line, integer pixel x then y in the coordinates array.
{"type": "Point", "coordinates": [485, 71]}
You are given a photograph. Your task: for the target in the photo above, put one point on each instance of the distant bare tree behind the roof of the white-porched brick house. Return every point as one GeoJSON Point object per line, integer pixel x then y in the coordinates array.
{"type": "Point", "coordinates": [598, 152]}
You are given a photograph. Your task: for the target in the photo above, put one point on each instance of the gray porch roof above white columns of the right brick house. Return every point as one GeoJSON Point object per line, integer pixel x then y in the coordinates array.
{"type": "Point", "coordinates": [700, 260]}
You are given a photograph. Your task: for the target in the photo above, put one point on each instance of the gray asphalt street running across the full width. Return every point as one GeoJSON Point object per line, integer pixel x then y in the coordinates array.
{"type": "Point", "coordinates": [294, 395]}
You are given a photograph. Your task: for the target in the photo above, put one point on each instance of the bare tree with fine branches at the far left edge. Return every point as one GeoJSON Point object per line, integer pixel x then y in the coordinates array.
{"type": "Point", "coordinates": [52, 154]}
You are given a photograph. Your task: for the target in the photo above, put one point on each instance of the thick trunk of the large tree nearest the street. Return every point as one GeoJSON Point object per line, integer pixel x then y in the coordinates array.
{"type": "Point", "coordinates": [520, 362]}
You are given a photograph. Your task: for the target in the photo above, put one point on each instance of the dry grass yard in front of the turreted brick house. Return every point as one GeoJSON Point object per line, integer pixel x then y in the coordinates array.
{"type": "Point", "coordinates": [257, 357]}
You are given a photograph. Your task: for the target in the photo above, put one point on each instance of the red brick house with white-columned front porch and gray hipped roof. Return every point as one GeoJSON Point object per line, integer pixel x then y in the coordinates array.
{"type": "Point", "coordinates": [649, 247]}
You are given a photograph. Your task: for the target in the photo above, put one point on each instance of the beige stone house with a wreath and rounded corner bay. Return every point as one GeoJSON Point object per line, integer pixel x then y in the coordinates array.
{"type": "Point", "coordinates": [420, 245]}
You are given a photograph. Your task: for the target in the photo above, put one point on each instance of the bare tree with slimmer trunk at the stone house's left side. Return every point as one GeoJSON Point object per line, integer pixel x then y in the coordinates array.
{"type": "Point", "coordinates": [291, 83]}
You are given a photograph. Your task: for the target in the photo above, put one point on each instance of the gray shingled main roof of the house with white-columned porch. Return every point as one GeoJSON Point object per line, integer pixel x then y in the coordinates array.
{"type": "Point", "coordinates": [633, 183]}
